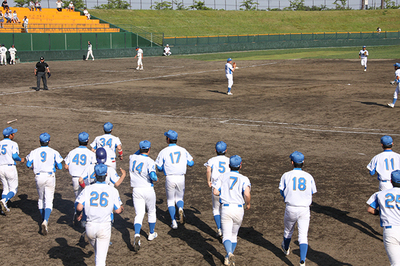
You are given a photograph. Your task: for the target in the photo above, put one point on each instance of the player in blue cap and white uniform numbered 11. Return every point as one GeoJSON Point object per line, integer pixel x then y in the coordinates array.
{"type": "Point", "coordinates": [385, 163]}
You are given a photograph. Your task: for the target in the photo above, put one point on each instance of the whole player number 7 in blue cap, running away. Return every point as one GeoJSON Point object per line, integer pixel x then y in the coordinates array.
{"type": "Point", "coordinates": [233, 190]}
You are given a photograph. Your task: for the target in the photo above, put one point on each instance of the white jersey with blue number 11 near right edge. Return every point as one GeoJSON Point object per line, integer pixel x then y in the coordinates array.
{"type": "Point", "coordinates": [385, 163]}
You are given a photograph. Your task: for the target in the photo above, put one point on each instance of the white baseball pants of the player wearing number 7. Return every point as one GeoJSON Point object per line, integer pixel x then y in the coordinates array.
{"type": "Point", "coordinates": [231, 220]}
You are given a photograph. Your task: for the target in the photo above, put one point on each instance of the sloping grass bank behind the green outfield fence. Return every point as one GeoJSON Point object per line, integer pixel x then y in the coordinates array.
{"type": "Point", "coordinates": [174, 23]}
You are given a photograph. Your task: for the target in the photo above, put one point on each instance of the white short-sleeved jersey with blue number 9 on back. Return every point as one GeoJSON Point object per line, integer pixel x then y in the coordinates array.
{"type": "Point", "coordinates": [44, 160]}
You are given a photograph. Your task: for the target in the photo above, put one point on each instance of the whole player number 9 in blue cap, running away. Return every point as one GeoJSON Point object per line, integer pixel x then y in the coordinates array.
{"type": "Point", "coordinates": [44, 161]}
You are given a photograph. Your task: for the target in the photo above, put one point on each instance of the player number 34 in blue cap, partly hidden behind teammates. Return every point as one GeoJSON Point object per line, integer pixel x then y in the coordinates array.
{"type": "Point", "coordinates": [110, 143]}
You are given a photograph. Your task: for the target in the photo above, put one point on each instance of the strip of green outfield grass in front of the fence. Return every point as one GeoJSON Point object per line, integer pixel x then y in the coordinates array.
{"type": "Point", "coordinates": [375, 52]}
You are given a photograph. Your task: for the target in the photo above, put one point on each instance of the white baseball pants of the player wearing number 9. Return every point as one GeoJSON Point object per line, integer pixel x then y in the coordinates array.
{"type": "Point", "coordinates": [45, 185]}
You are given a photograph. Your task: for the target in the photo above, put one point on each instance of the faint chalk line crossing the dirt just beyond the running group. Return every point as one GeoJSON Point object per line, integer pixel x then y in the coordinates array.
{"type": "Point", "coordinates": [233, 121]}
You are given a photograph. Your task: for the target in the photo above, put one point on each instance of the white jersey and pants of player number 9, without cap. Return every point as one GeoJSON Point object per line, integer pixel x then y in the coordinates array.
{"type": "Point", "coordinates": [43, 161]}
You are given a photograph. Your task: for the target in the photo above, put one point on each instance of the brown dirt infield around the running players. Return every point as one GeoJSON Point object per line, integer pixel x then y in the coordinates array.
{"type": "Point", "coordinates": [330, 110]}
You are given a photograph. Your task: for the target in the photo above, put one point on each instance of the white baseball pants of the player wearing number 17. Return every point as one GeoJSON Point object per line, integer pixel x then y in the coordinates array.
{"type": "Point", "coordinates": [175, 189]}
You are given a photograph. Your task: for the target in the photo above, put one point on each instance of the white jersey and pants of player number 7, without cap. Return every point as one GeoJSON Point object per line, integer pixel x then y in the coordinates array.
{"type": "Point", "coordinates": [231, 185]}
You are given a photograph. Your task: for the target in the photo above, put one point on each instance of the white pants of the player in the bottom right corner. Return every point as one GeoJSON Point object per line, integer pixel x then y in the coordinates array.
{"type": "Point", "coordinates": [391, 240]}
